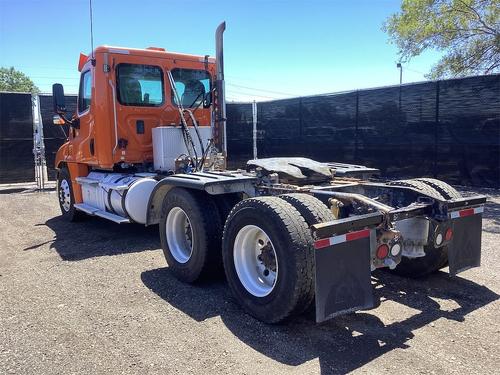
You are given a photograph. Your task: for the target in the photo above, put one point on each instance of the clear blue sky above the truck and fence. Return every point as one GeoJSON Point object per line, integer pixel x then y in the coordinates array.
{"type": "Point", "coordinates": [273, 49]}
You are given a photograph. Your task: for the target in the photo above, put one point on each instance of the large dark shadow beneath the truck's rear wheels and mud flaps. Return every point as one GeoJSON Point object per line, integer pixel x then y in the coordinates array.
{"type": "Point", "coordinates": [341, 344]}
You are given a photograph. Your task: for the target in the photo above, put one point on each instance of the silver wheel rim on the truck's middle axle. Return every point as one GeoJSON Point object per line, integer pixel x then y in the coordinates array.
{"type": "Point", "coordinates": [180, 237]}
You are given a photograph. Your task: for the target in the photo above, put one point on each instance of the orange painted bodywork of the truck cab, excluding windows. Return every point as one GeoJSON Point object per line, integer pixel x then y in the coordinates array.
{"type": "Point", "coordinates": [95, 141]}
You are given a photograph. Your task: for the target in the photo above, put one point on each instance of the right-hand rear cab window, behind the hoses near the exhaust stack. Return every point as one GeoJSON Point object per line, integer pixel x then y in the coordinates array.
{"type": "Point", "coordinates": [191, 85]}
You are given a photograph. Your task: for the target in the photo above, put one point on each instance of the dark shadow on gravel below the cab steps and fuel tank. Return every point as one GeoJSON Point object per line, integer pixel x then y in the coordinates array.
{"type": "Point", "coordinates": [95, 237]}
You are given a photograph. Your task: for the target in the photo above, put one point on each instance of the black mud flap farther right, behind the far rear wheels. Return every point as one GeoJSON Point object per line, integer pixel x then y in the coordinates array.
{"type": "Point", "coordinates": [464, 251]}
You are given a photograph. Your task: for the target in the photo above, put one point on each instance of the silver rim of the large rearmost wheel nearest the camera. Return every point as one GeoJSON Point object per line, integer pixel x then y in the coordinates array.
{"type": "Point", "coordinates": [258, 275]}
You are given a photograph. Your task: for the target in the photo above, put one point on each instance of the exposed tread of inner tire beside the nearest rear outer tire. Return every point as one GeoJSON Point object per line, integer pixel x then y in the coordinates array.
{"type": "Point", "coordinates": [310, 208]}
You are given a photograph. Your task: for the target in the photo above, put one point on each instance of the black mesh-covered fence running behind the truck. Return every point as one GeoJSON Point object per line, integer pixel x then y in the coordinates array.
{"type": "Point", "coordinates": [446, 129]}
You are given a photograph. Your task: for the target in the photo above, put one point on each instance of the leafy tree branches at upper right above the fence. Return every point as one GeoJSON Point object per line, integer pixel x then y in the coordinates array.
{"type": "Point", "coordinates": [466, 31]}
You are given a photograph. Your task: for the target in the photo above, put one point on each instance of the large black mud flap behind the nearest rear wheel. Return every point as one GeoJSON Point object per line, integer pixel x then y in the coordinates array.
{"type": "Point", "coordinates": [343, 274]}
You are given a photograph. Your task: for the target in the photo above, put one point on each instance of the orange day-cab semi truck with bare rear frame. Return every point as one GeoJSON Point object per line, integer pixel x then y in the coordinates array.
{"type": "Point", "coordinates": [147, 145]}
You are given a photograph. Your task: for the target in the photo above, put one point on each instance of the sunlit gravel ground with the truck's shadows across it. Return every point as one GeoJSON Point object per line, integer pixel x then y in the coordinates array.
{"type": "Point", "coordinates": [97, 298]}
